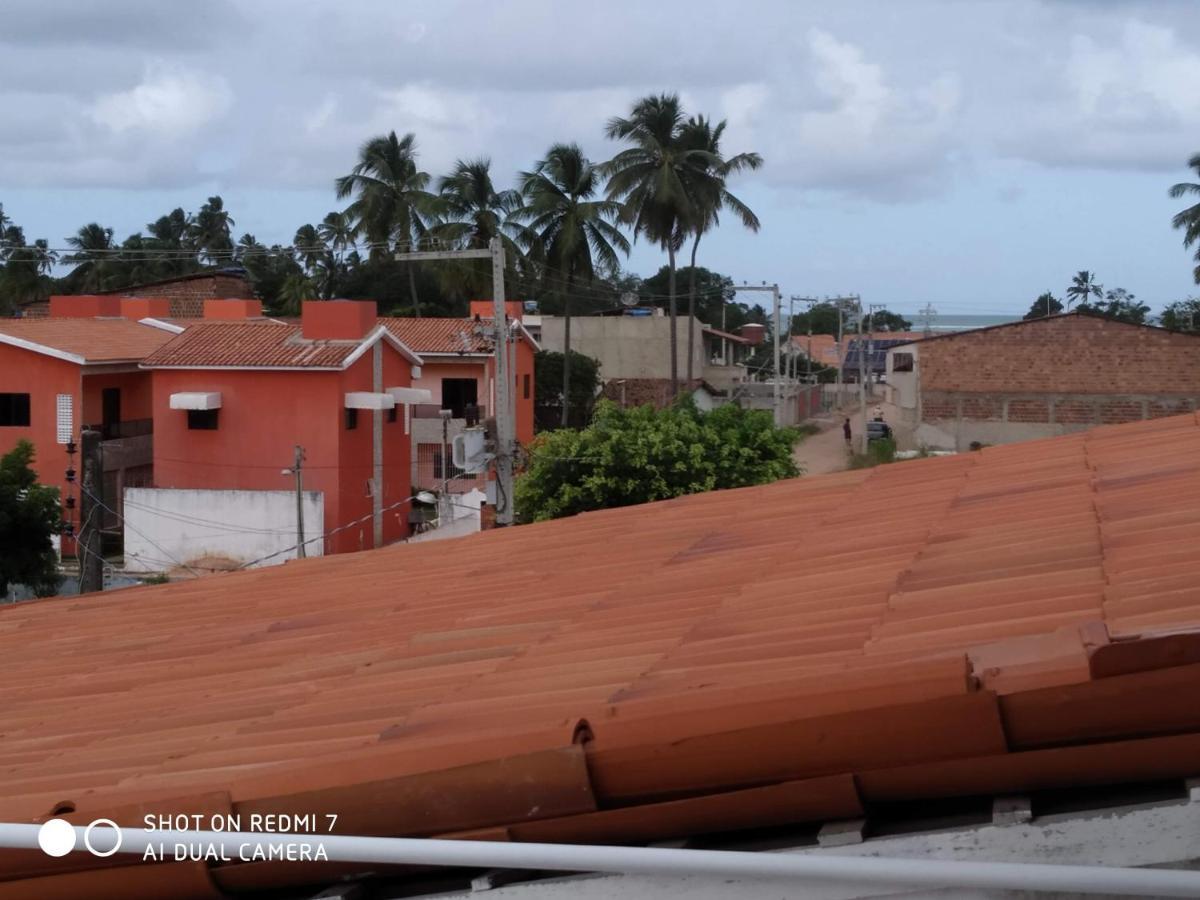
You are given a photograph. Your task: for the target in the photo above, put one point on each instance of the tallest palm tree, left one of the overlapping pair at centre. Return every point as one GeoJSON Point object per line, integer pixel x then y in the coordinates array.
{"type": "Point", "coordinates": [655, 181]}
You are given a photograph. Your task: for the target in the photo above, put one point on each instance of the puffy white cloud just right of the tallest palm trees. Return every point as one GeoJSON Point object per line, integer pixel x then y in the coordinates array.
{"type": "Point", "coordinates": [837, 122]}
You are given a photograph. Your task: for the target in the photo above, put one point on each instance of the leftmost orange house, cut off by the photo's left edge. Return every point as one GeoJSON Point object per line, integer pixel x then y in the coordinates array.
{"type": "Point", "coordinates": [75, 370]}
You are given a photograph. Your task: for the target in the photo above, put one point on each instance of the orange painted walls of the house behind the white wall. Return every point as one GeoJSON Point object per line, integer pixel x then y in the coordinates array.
{"type": "Point", "coordinates": [263, 416]}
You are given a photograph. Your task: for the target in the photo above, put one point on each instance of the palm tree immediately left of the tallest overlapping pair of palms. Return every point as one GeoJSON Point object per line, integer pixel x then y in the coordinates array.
{"type": "Point", "coordinates": [568, 230]}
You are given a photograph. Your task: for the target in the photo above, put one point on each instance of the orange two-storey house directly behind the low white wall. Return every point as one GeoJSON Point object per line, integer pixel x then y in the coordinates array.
{"type": "Point", "coordinates": [233, 399]}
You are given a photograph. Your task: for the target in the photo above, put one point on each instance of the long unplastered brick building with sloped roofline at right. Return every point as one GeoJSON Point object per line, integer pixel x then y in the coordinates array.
{"type": "Point", "coordinates": [1040, 379]}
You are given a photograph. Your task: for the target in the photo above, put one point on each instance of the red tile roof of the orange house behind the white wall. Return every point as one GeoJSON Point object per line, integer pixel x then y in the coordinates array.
{"type": "Point", "coordinates": [260, 344]}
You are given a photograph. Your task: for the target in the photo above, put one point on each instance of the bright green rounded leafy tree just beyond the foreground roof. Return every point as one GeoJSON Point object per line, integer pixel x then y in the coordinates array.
{"type": "Point", "coordinates": [629, 457]}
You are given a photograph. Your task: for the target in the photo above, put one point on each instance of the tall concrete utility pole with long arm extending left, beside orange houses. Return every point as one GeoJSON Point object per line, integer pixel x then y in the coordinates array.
{"type": "Point", "coordinates": [505, 412]}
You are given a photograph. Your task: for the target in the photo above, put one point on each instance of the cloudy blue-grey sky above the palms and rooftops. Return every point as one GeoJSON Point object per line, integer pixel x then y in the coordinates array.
{"type": "Point", "coordinates": [967, 154]}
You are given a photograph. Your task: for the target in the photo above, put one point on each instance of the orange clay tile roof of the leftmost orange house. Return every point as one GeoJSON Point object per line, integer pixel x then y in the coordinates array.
{"type": "Point", "coordinates": [88, 341]}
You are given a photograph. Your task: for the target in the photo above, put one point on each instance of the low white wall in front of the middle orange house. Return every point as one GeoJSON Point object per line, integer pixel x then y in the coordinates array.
{"type": "Point", "coordinates": [217, 530]}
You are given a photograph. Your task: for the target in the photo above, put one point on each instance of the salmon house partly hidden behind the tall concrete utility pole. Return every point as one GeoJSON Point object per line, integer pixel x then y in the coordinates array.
{"type": "Point", "coordinates": [460, 375]}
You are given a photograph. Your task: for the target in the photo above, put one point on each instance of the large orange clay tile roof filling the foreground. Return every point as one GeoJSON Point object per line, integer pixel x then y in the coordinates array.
{"type": "Point", "coordinates": [1013, 620]}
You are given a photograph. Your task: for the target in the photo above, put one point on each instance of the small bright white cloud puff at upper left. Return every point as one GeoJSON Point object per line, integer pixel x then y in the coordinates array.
{"type": "Point", "coordinates": [171, 103]}
